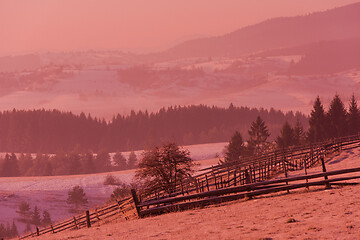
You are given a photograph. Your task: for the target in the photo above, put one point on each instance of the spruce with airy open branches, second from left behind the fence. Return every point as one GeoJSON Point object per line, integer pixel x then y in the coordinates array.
{"type": "Point", "coordinates": [258, 135]}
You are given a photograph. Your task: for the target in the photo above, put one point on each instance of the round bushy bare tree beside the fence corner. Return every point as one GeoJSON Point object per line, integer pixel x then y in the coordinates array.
{"type": "Point", "coordinates": [162, 168]}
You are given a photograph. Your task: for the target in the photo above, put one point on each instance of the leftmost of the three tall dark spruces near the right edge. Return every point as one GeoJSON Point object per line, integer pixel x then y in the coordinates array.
{"type": "Point", "coordinates": [317, 122]}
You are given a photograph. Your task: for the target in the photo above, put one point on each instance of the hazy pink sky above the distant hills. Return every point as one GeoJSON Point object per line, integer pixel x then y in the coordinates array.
{"type": "Point", "coordinates": [142, 25]}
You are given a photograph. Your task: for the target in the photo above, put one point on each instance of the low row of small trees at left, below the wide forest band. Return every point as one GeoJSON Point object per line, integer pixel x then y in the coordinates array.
{"type": "Point", "coordinates": [64, 164]}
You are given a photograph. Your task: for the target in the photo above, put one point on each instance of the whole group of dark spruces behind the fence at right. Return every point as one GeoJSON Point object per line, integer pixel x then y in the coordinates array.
{"type": "Point", "coordinates": [336, 122]}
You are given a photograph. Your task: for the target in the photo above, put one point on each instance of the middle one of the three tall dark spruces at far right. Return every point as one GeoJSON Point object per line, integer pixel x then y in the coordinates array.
{"type": "Point", "coordinates": [337, 122]}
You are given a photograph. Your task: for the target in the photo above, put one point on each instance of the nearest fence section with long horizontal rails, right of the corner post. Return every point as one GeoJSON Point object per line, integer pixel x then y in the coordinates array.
{"type": "Point", "coordinates": [152, 207]}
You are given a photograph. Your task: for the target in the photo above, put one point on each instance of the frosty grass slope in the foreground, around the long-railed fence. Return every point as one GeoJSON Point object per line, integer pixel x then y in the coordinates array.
{"type": "Point", "coordinates": [302, 214]}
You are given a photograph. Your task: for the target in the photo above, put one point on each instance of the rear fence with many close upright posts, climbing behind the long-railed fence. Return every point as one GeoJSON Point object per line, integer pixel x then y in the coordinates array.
{"type": "Point", "coordinates": [255, 169]}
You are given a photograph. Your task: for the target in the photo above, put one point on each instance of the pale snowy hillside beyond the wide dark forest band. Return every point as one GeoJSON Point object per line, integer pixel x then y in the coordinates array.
{"type": "Point", "coordinates": [98, 89]}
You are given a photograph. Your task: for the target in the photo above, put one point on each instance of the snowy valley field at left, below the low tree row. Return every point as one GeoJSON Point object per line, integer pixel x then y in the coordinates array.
{"type": "Point", "coordinates": [50, 193]}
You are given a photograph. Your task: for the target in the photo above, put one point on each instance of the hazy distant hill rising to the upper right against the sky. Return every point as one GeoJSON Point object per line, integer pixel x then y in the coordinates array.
{"type": "Point", "coordinates": [338, 23]}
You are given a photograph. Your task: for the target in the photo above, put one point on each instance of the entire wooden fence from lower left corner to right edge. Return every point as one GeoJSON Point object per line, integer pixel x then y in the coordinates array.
{"type": "Point", "coordinates": [225, 182]}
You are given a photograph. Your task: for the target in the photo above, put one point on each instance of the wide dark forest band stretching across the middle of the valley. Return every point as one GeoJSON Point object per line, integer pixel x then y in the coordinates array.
{"type": "Point", "coordinates": [54, 131]}
